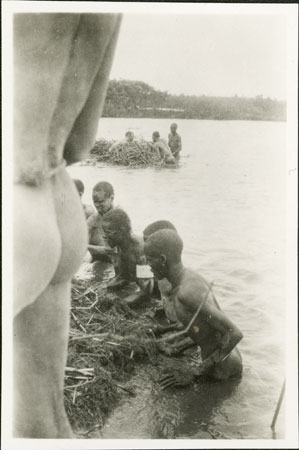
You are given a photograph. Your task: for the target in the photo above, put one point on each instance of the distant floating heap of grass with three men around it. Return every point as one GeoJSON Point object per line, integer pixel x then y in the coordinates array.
{"type": "Point", "coordinates": [138, 153]}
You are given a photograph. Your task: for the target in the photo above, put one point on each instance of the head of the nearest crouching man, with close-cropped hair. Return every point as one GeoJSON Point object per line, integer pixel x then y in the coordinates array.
{"type": "Point", "coordinates": [163, 249]}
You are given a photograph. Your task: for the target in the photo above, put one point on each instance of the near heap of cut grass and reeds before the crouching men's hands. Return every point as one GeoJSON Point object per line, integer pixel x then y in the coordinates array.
{"type": "Point", "coordinates": [106, 340]}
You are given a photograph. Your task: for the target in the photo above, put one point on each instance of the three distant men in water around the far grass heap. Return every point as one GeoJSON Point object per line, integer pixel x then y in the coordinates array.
{"type": "Point", "coordinates": [167, 152]}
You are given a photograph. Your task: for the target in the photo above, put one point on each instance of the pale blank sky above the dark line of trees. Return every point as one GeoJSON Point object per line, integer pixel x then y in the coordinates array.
{"type": "Point", "coordinates": [221, 55]}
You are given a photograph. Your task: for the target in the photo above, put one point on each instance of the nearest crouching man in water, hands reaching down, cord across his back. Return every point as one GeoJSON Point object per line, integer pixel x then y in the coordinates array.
{"type": "Point", "coordinates": [216, 335]}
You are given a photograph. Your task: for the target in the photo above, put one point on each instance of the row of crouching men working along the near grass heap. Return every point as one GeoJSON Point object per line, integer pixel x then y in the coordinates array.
{"type": "Point", "coordinates": [154, 264]}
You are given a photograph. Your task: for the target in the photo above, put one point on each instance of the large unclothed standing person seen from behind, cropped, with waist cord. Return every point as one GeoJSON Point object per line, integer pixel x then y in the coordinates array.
{"type": "Point", "coordinates": [60, 77]}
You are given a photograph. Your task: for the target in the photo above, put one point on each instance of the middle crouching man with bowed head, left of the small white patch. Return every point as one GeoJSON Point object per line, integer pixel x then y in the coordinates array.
{"type": "Point", "coordinates": [118, 232]}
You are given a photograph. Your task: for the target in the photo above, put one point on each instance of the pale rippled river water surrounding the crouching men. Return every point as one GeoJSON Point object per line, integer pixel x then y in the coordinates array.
{"type": "Point", "coordinates": [227, 201]}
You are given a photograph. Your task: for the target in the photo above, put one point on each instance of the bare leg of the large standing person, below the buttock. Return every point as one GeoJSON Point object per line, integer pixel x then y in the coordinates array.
{"type": "Point", "coordinates": [40, 350]}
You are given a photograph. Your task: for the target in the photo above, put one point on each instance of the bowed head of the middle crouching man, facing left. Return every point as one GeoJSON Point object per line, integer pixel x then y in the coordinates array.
{"type": "Point", "coordinates": [116, 226]}
